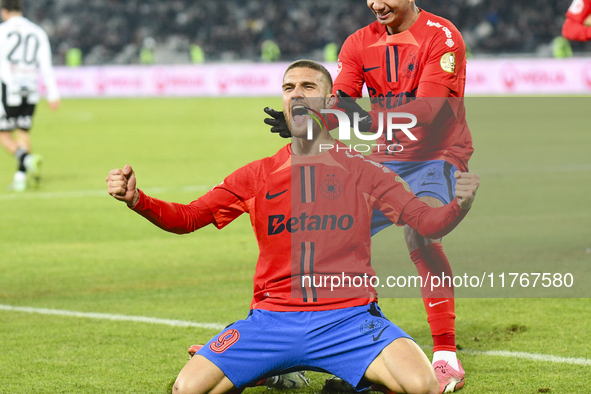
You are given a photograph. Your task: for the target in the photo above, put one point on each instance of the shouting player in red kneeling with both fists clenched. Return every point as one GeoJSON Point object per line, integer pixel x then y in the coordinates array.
{"type": "Point", "coordinates": [310, 207]}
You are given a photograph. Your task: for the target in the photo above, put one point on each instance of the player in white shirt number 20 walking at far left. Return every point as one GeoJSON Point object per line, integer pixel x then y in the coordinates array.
{"type": "Point", "coordinates": [24, 51]}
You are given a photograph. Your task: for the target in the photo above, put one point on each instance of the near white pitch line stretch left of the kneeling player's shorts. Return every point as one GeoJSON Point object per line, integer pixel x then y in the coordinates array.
{"type": "Point", "coordinates": [109, 316]}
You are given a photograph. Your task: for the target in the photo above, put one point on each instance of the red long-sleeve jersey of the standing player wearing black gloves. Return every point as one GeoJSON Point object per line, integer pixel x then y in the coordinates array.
{"type": "Point", "coordinates": [396, 69]}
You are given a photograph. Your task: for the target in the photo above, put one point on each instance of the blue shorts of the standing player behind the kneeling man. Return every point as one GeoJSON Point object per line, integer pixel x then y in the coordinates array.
{"type": "Point", "coordinates": [433, 178]}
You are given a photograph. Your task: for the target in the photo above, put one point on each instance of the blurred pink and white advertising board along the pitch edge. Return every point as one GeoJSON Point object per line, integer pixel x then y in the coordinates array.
{"type": "Point", "coordinates": [484, 77]}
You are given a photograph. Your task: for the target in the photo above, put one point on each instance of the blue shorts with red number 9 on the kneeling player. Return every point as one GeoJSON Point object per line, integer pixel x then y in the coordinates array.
{"type": "Point", "coordinates": [342, 342]}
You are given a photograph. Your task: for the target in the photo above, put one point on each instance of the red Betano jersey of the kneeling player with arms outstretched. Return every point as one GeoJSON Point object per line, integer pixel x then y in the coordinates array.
{"type": "Point", "coordinates": [311, 216]}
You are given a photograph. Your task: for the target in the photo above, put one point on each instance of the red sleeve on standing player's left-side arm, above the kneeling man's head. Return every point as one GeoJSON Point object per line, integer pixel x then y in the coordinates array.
{"type": "Point", "coordinates": [350, 77]}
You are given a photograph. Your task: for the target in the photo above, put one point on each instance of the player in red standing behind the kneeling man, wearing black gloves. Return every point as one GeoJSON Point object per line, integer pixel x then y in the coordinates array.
{"type": "Point", "coordinates": [414, 62]}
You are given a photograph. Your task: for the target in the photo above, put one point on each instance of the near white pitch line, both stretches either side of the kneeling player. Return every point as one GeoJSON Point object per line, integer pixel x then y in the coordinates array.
{"type": "Point", "coordinates": [217, 326]}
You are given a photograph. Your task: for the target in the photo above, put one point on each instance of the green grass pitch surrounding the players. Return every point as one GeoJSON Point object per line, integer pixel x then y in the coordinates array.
{"type": "Point", "coordinates": [69, 246]}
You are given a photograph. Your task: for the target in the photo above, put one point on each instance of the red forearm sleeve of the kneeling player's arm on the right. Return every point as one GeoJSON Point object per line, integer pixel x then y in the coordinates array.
{"type": "Point", "coordinates": [432, 222]}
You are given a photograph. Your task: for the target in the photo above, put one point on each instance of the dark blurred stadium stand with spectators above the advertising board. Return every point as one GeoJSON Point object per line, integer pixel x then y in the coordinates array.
{"type": "Point", "coordinates": [113, 31]}
